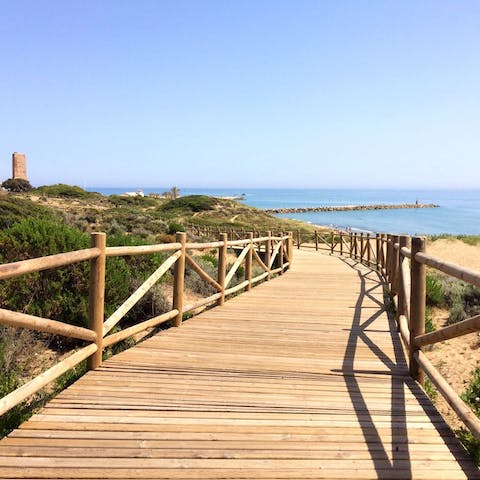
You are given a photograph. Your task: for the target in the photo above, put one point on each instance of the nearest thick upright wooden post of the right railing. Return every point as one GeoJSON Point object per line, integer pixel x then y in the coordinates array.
{"type": "Point", "coordinates": [417, 305]}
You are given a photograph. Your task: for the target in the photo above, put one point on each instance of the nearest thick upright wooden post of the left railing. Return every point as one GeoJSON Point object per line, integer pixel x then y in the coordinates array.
{"type": "Point", "coordinates": [97, 297]}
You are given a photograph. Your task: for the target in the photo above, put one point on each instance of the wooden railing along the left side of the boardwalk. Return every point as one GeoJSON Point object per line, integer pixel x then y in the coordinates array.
{"type": "Point", "coordinates": [273, 254]}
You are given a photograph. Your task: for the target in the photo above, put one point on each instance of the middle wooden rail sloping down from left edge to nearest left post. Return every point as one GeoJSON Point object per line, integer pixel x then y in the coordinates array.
{"type": "Point", "coordinates": [38, 324]}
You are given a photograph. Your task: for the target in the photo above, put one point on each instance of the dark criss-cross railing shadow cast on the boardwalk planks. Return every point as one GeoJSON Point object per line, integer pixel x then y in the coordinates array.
{"type": "Point", "coordinates": [386, 456]}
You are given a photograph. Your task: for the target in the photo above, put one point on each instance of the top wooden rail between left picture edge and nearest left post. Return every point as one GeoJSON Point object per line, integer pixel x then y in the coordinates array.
{"type": "Point", "coordinates": [23, 267]}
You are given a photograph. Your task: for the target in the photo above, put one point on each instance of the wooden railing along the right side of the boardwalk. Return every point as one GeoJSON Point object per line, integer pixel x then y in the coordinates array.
{"type": "Point", "coordinates": [402, 262]}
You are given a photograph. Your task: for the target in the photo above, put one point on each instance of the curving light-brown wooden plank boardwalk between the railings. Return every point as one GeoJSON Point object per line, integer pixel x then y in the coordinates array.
{"type": "Point", "coordinates": [303, 377]}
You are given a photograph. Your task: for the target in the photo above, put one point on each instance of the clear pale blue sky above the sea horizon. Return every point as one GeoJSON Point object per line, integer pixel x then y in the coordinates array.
{"type": "Point", "coordinates": [242, 93]}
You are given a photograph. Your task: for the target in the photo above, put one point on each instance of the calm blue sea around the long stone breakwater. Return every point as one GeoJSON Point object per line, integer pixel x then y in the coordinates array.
{"type": "Point", "coordinates": [458, 212]}
